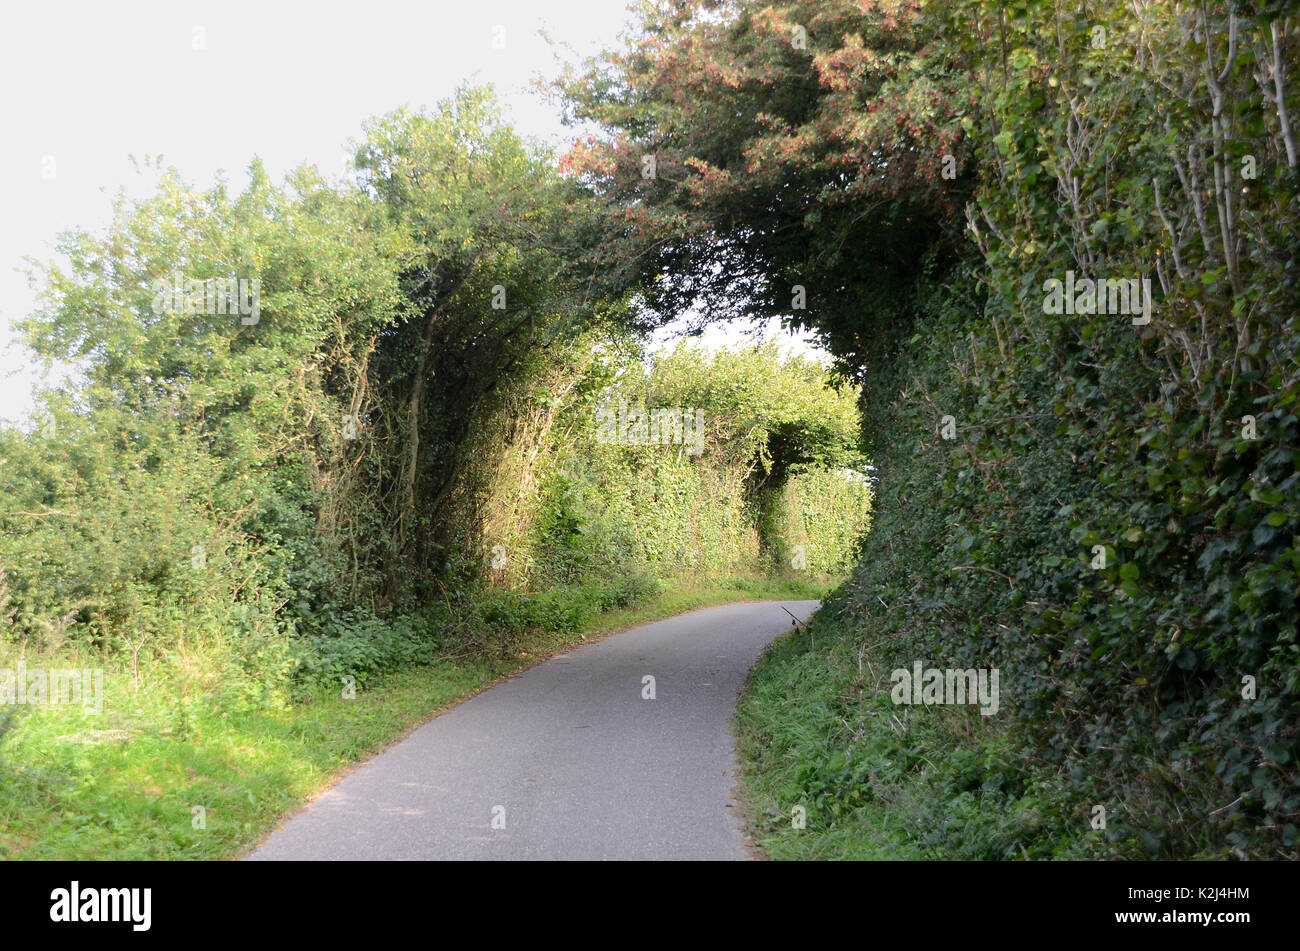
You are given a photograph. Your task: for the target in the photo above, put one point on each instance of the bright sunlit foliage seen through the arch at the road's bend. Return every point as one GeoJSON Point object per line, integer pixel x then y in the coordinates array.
{"type": "Point", "coordinates": [773, 431]}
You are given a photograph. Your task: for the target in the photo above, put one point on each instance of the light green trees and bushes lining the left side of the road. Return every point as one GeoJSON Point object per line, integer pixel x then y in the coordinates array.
{"type": "Point", "coordinates": [239, 510]}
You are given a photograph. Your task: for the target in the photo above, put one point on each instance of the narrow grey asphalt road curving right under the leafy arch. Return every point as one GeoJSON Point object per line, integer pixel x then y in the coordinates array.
{"type": "Point", "coordinates": [566, 761]}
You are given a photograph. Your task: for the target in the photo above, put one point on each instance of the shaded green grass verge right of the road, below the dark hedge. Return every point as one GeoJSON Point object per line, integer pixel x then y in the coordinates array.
{"type": "Point", "coordinates": [818, 731]}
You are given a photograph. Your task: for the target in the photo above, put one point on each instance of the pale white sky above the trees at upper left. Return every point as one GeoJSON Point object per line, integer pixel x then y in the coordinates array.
{"type": "Point", "coordinates": [86, 85]}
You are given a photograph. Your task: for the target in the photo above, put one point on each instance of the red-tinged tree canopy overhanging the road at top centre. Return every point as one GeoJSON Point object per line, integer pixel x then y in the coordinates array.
{"type": "Point", "coordinates": [778, 166]}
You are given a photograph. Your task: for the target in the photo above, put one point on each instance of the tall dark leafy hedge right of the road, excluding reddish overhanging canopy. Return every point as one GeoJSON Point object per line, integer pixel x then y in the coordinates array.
{"type": "Point", "coordinates": [1106, 527]}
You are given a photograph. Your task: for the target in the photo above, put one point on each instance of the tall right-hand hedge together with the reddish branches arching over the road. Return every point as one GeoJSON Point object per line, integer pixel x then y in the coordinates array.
{"type": "Point", "coordinates": [1113, 142]}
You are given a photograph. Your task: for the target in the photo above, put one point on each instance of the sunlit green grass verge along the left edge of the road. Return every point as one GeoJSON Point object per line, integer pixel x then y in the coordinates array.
{"type": "Point", "coordinates": [124, 784]}
